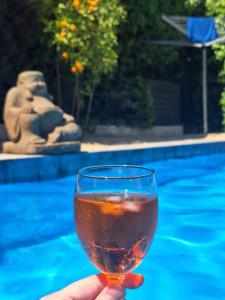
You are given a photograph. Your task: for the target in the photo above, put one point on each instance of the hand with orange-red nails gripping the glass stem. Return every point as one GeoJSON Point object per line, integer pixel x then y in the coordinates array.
{"type": "Point", "coordinates": [97, 287]}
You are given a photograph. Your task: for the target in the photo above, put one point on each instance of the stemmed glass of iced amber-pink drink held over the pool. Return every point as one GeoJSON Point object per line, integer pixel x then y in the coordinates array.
{"type": "Point", "coordinates": [116, 210]}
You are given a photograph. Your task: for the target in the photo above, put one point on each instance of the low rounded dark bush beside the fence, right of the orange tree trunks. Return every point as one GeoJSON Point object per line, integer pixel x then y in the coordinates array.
{"type": "Point", "coordinates": [128, 102]}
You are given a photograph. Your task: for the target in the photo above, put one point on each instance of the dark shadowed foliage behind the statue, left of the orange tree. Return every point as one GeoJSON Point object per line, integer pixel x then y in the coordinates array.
{"type": "Point", "coordinates": [23, 46]}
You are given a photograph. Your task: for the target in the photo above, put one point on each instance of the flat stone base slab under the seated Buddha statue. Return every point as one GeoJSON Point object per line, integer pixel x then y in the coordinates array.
{"type": "Point", "coordinates": [57, 148]}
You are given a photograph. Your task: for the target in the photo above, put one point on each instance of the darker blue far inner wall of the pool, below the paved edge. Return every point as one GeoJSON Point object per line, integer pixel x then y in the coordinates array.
{"type": "Point", "coordinates": [54, 166]}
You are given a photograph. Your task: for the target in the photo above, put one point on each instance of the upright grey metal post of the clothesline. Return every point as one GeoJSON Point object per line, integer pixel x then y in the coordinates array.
{"type": "Point", "coordinates": [204, 90]}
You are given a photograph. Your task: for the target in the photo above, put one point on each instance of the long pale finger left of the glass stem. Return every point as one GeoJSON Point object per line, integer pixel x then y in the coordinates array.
{"type": "Point", "coordinates": [84, 289]}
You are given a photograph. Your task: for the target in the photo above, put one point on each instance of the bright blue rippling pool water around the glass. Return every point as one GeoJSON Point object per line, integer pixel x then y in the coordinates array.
{"type": "Point", "coordinates": [40, 252]}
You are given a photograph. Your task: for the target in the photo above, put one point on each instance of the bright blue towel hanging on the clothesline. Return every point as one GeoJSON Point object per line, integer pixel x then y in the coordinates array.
{"type": "Point", "coordinates": [201, 29]}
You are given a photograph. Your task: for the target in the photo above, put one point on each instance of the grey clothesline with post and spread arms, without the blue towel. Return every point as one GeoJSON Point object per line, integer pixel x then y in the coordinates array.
{"type": "Point", "coordinates": [180, 24]}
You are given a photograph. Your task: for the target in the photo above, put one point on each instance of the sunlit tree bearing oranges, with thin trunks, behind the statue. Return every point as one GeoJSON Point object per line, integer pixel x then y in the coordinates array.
{"type": "Point", "coordinates": [85, 36]}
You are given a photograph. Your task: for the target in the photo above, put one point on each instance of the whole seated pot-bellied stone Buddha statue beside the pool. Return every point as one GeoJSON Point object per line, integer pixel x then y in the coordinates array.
{"type": "Point", "coordinates": [34, 123]}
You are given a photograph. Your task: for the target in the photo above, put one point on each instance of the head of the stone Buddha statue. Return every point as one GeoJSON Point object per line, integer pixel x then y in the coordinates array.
{"type": "Point", "coordinates": [33, 81]}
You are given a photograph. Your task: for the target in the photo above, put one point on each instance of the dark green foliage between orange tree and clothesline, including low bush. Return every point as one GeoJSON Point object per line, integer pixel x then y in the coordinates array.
{"type": "Point", "coordinates": [126, 98]}
